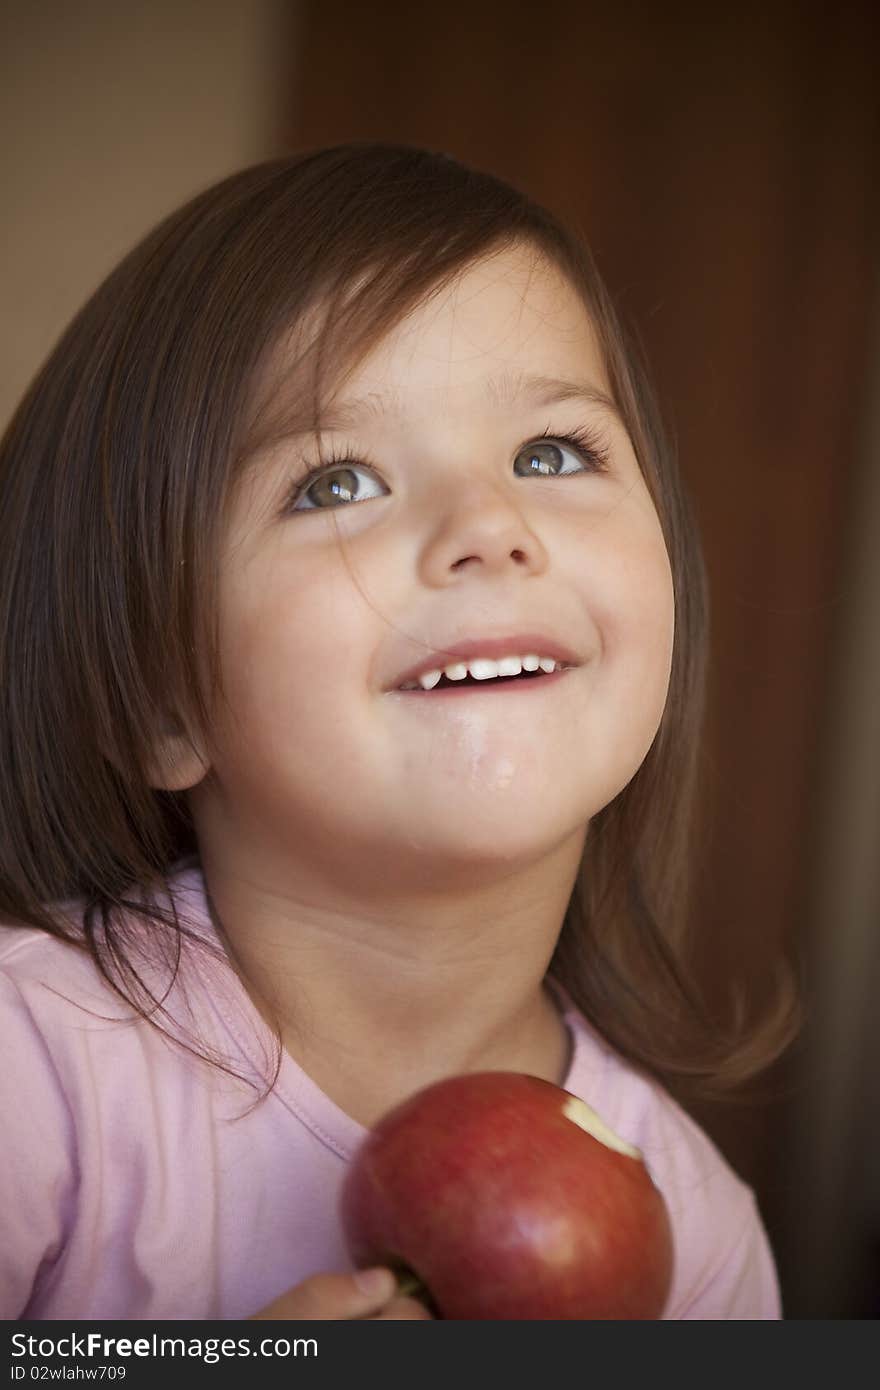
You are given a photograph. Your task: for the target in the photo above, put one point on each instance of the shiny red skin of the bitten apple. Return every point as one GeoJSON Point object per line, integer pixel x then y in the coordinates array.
{"type": "Point", "coordinates": [507, 1209]}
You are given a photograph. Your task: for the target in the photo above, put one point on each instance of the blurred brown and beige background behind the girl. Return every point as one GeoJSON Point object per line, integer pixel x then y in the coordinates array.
{"type": "Point", "coordinates": [725, 166]}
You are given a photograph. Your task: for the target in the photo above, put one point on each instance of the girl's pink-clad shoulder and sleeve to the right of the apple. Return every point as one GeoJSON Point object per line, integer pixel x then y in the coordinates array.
{"type": "Point", "coordinates": [724, 1263]}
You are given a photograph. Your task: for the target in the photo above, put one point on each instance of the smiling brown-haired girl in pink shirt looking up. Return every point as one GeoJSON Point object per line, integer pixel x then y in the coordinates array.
{"type": "Point", "coordinates": [352, 632]}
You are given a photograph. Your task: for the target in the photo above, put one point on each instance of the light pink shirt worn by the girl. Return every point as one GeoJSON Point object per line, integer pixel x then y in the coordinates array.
{"type": "Point", "coordinates": [134, 1186]}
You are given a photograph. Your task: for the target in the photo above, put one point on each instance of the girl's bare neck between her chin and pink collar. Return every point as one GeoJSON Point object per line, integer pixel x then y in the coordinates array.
{"type": "Point", "coordinates": [380, 1003]}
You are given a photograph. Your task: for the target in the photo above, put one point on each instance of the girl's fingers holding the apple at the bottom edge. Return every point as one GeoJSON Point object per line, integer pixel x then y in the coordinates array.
{"type": "Point", "coordinates": [369, 1293]}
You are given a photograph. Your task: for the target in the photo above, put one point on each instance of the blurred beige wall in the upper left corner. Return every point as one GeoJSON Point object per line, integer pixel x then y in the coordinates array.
{"type": "Point", "coordinates": [113, 112]}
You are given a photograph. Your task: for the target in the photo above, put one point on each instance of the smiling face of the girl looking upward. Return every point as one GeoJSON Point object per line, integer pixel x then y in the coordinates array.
{"type": "Point", "coordinates": [461, 516]}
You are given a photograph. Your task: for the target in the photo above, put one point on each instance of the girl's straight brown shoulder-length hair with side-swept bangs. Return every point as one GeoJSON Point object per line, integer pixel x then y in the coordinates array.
{"type": "Point", "coordinates": [116, 476]}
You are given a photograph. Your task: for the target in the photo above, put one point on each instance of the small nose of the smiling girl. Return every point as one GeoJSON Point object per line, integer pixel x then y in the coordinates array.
{"type": "Point", "coordinates": [480, 529]}
